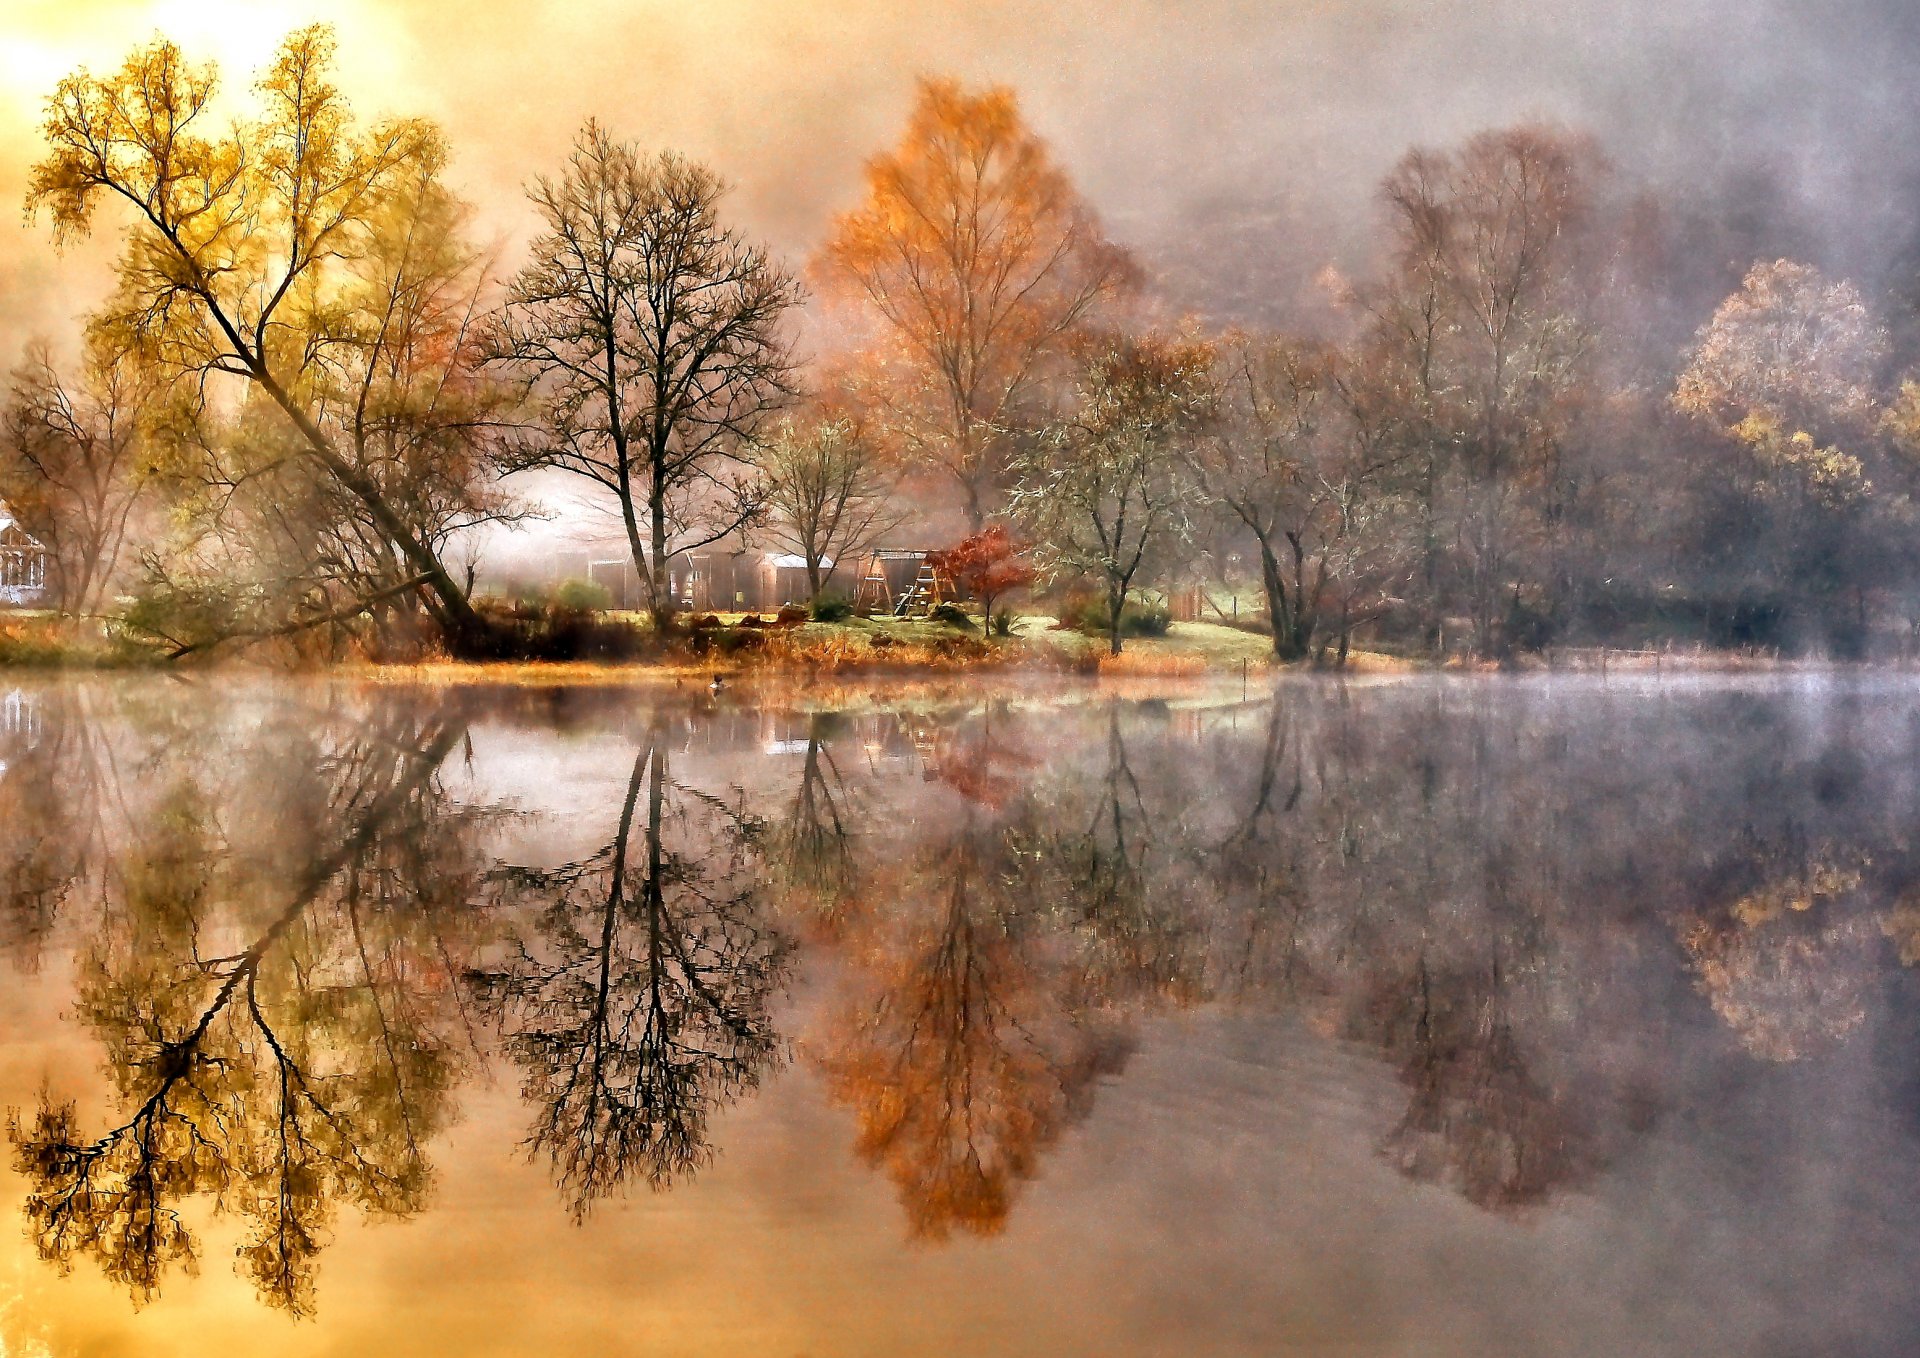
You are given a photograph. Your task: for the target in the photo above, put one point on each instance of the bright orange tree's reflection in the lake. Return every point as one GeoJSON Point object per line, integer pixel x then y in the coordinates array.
{"type": "Point", "coordinates": [965, 1057]}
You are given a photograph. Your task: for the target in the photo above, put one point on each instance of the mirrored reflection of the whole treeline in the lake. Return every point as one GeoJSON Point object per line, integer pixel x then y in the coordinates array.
{"type": "Point", "coordinates": [302, 923]}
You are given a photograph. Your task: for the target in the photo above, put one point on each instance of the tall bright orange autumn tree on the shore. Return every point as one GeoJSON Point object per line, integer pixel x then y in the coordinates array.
{"type": "Point", "coordinates": [974, 258]}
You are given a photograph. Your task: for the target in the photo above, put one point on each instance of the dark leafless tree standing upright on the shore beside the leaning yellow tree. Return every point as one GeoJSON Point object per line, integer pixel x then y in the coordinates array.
{"type": "Point", "coordinates": [654, 337]}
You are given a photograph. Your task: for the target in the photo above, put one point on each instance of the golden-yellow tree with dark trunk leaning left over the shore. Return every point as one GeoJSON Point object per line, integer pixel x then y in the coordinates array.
{"type": "Point", "coordinates": [245, 245]}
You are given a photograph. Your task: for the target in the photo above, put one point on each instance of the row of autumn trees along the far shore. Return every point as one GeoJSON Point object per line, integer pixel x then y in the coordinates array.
{"type": "Point", "coordinates": [310, 391]}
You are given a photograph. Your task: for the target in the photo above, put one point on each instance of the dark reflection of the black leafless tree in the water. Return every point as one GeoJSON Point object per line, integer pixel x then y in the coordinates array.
{"type": "Point", "coordinates": [642, 1006]}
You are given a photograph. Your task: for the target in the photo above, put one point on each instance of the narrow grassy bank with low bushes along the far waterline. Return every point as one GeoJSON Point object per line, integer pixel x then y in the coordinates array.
{"type": "Point", "coordinates": [565, 639]}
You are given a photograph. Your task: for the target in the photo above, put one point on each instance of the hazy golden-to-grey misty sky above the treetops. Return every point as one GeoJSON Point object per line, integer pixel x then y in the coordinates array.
{"type": "Point", "coordinates": [1234, 145]}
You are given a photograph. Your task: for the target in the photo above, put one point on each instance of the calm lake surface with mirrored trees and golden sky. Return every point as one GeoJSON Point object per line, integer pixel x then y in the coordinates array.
{"type": "Point", "coordinates": [1420, 1019]}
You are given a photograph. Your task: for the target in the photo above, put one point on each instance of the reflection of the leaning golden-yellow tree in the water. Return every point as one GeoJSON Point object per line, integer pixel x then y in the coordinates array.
{"type": "Point", "coordinates": [283, 1079]}
